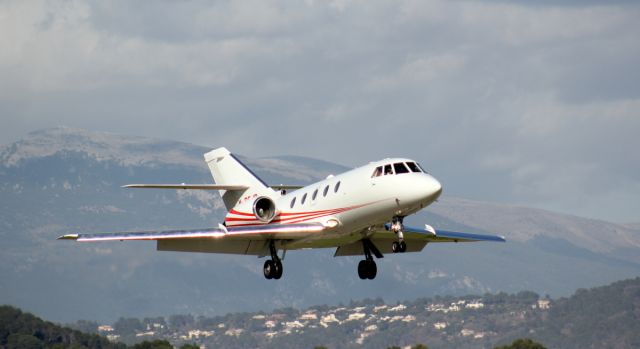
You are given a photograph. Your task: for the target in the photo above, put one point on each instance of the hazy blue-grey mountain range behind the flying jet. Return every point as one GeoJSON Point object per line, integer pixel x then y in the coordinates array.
{"type": "Point", "coordinates": [65, 180]}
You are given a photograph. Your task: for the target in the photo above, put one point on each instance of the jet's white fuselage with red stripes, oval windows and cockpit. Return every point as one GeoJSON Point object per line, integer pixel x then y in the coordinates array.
{"type": "Point", "coordinates": [350, 202]}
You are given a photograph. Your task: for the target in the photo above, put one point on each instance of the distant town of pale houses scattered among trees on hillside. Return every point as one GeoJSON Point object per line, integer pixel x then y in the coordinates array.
{"type": "Point", "coordinates": [359, 323]}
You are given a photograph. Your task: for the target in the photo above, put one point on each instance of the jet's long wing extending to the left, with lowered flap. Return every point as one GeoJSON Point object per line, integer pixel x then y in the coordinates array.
{"type": "Point", "coordinates": [252, 240]}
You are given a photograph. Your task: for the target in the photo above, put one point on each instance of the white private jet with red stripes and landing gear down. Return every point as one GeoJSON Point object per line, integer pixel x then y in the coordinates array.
{"type": "Point", "coordinates": [359, 213]}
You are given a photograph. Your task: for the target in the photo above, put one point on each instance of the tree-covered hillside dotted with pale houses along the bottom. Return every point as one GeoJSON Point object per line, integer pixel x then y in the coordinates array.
{"type": "Point", "coordinates": [603, 317]}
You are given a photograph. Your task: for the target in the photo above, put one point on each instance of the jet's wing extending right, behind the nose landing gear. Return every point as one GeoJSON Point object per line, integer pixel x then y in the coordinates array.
{"type": "Point", "coordinates": [415, 238]}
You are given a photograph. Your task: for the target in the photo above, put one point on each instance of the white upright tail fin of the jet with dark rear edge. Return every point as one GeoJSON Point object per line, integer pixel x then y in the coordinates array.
{"type": "Point", "coordinates": [228, 169]}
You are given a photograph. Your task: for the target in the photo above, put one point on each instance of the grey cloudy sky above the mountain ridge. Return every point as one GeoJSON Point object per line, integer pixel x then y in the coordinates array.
{"type": "Point", "coordinates": [532, 103]}
